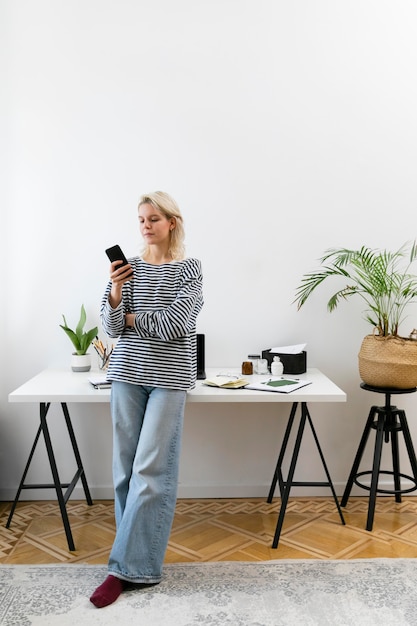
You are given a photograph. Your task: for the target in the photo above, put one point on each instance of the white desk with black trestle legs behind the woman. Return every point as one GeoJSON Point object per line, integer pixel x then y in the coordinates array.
{"type": "Point", "coordinates": [65, 387]}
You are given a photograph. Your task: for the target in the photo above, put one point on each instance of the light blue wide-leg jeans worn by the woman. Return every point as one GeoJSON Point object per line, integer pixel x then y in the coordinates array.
{"type": "Point", "coordinates": [147, 430]}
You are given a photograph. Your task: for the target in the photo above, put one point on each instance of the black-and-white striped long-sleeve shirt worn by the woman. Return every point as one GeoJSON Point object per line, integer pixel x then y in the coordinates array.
{"type": "Point", "coordinates": [161, 349]}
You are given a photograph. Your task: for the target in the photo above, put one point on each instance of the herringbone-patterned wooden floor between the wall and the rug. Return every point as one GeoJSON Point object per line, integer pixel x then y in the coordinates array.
{"type": "Point", "coordinates": [218, 530]}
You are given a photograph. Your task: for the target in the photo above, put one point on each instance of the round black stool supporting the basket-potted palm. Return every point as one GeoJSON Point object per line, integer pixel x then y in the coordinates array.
{"type": "Point", "coordinates": [386, 420]}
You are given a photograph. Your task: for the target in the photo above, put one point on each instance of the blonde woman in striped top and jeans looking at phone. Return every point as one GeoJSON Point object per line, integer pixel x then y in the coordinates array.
{"type": "Point", "coordinates": [153, 312]}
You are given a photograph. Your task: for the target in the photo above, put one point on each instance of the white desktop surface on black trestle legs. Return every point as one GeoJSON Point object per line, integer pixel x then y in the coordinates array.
{"type": "Point", "coordinates": [63, 385]}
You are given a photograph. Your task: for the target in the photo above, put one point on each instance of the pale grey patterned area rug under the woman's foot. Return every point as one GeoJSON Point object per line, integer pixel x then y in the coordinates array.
{"type": "Point", "coordinates": [273, 593]}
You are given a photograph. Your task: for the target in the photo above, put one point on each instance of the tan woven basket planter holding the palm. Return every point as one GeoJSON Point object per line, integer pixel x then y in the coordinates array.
{"type": "Point", "coordinates": [388, 362]}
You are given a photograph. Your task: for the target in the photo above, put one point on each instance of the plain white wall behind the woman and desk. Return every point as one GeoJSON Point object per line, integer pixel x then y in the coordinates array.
{"type": "Point", "coordinates": [282, 129]}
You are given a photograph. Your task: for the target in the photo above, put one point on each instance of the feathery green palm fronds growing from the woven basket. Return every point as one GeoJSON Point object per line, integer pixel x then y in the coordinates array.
{"type": "Point", "coordinates": [380, 277]}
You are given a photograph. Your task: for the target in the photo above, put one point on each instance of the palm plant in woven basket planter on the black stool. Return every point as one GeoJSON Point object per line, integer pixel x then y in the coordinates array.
{"type": "Point", "coordinates": [383, 280]}
